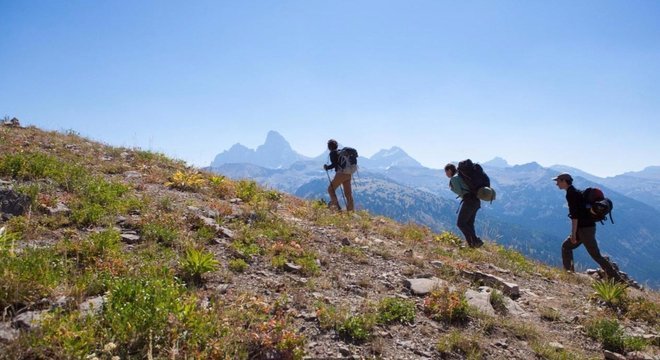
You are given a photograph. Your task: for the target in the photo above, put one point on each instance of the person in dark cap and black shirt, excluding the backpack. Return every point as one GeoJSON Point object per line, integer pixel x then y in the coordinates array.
{"type": "Point", "coordinates": [583, 229]}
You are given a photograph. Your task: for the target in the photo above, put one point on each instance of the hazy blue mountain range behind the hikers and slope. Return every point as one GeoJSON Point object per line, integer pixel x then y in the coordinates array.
{"type": "Point", "coordinates": [529, 213]}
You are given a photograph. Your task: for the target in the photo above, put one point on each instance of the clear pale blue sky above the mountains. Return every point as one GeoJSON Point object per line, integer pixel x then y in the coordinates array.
{"type": "Point", "coordinates": [557, 82]}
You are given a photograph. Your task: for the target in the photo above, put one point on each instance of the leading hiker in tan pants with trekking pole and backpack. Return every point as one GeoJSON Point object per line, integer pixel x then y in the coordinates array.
{"type": "Point", "coordinates": [344, 162]}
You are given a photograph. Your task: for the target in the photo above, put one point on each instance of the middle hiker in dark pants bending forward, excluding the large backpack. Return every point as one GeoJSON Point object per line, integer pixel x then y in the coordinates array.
{"type": "Point", "coordinates": [470, 204]}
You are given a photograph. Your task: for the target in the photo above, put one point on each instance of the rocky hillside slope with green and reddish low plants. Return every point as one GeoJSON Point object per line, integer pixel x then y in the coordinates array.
{"type": "Point", "coordinates": [114, 253]}
